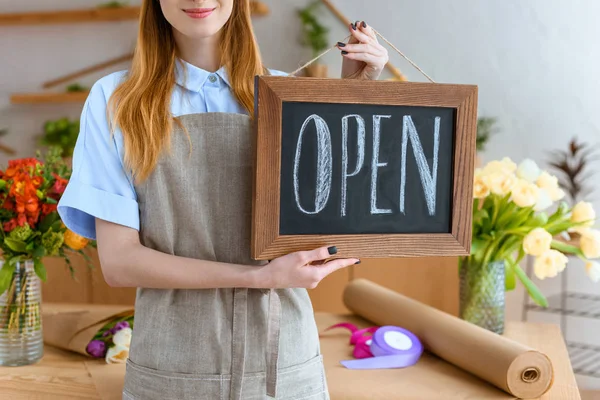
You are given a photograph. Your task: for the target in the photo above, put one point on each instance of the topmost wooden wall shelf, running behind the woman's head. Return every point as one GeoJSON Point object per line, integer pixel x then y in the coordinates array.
{"type": "Point", "coordinates": [92, 15]}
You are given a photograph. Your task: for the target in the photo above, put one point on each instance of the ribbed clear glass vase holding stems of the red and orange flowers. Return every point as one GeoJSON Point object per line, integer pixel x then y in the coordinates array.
{"type": "Point", "coordinates": [21, 339]}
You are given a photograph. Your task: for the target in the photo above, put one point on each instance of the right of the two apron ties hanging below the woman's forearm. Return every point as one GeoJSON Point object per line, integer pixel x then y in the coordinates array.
{"type": "Point", "coordinates": [273, 330]}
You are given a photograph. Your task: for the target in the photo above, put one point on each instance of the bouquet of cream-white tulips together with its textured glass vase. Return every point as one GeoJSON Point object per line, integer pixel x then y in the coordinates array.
{"type": "Point", "coordinates": [512, 219]}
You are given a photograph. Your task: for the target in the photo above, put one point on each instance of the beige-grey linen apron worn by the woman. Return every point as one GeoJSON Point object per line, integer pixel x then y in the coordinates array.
{"type": "Point", "coordinates": [217, 344]}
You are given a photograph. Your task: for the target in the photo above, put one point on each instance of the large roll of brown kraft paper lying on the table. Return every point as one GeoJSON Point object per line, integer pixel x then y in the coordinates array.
{"type": "Point", "coordinates": [517, 369]}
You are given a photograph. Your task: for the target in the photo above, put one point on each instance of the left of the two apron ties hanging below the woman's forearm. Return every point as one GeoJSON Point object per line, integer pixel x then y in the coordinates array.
{"type": "Point", "coordinates": [238, 350]}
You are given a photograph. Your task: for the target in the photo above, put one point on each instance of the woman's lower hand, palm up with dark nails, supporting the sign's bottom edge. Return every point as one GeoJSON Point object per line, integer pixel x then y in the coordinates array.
{"type": "Point", "coordinates": [302, 269]}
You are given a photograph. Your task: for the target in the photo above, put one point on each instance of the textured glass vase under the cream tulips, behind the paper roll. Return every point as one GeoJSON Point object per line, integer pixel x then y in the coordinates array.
{"type": "Point", "coordinates": [482, 294]}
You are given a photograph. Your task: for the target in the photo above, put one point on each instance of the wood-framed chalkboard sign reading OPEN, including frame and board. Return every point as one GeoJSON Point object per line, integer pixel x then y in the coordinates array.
{"type": "Point", "coordinates": [378, 169]}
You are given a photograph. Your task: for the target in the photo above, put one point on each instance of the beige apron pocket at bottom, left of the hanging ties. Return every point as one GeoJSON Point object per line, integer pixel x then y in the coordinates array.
{"type": "Point", "coordinates": [143, 383]}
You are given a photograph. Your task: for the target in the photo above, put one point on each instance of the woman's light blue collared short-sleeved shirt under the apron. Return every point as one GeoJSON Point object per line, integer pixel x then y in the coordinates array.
{"type": "Point", "coordinates": [100, 187]}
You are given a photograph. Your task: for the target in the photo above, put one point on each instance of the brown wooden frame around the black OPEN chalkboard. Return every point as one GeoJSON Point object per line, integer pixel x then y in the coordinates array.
{"type": "Point", "coordinates": [272, 91]}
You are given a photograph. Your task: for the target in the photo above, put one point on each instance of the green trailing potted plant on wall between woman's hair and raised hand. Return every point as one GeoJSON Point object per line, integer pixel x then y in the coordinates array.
{"type": "Point", "coordinates": [314, 36]}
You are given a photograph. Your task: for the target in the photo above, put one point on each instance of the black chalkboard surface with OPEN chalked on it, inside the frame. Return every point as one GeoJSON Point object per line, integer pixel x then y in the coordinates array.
{"type": "Point", "coordinates": [348, 168]}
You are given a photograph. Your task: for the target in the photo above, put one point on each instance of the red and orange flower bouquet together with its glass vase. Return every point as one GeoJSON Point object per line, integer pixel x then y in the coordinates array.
{"type": "Point", "coordinates": [31, 229]}
